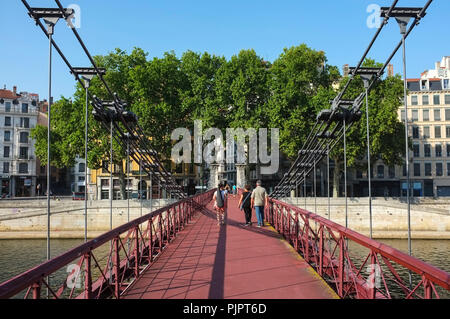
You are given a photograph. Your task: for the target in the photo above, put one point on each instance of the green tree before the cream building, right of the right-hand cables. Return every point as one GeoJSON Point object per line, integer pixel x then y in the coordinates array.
{"type": "Point", "coordinates": [387, 133]}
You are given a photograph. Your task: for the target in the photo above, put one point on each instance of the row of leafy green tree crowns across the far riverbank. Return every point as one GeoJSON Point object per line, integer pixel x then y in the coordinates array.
{"type": "Point", "coordinates": [243, 91]}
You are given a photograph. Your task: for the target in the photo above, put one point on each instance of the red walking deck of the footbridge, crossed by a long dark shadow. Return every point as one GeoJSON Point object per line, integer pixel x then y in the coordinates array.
{"type": "Point", "coordinates": [232, 261]}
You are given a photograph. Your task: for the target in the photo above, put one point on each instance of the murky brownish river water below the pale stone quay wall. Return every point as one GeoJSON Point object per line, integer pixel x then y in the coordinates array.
{"type": "Point", "coordinates": [17, 256]}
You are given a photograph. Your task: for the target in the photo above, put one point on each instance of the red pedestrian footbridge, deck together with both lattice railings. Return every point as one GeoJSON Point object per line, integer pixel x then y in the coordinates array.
{"type": "Point", "coordinates": [180, 252]}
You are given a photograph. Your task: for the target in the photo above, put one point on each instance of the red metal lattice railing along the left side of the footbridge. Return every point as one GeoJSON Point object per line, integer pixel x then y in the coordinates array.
{"type": "Point", "coordinates": [107, 265]}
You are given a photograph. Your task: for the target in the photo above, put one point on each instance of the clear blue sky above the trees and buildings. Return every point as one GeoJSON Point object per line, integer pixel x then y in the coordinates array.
{"type": "Point", "coordinates": [219, 27]}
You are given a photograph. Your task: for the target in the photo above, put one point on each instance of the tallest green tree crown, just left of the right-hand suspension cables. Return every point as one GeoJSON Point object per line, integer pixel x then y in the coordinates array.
{"type": "Point", "coordinates": [297, 76]}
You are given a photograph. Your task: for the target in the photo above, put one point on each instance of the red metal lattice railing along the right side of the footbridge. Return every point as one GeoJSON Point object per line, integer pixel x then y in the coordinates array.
{"type": "Point", "coordinates": [353, 264]}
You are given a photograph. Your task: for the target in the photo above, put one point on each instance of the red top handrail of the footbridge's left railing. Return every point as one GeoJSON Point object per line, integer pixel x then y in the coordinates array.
{"type": "Point", "coordinates": [37, 274]}
